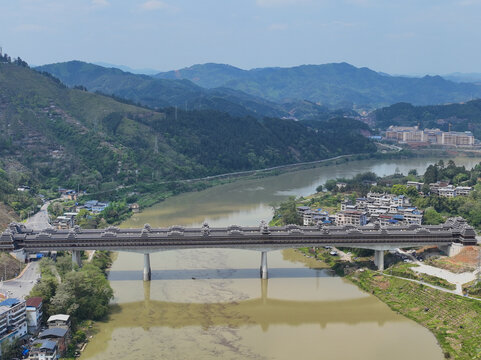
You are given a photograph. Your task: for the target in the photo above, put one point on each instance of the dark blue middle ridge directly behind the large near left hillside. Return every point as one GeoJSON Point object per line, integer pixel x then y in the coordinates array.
{"type": "Point", "coordinates": [160, 93]}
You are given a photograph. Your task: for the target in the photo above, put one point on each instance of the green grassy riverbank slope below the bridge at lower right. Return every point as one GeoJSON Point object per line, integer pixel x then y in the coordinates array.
{"type": "Point", "coordinates": [454, 320]}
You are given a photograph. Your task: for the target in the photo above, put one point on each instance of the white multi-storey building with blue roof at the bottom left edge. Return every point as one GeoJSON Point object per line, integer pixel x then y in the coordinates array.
{"type": "Point", "coordinates": [13, 320]}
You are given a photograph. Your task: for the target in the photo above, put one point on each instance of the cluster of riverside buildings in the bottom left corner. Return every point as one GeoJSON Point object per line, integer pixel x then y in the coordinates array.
{"type": "Point", "coordinates": [22, 319]}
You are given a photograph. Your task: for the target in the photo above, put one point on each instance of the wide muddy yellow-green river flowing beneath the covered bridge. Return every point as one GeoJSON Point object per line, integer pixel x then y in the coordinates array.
{"type": "Point", "coordinates": [211, 304]}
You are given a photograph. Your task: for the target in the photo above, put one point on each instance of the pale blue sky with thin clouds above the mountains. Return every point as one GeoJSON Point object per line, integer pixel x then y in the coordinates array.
{"type": "Point", "coordinates": [411, 37]}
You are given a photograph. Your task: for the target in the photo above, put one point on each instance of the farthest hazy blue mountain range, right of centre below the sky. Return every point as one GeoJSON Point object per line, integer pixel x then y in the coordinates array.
{"type": "Point", "coordinates": [336, 85]}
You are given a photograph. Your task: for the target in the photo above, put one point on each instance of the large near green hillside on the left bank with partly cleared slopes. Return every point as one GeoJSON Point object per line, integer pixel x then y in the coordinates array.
{"type": "Point", "coordinates": [66, 137]}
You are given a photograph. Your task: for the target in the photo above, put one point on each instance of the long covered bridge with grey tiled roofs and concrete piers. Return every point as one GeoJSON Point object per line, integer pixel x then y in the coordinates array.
{"type": "Point", "coordinates": [263, 238]}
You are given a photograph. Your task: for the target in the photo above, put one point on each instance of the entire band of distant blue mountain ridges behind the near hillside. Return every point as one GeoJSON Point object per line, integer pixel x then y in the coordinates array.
{"type": "Point", "coordinates": [266, 91]}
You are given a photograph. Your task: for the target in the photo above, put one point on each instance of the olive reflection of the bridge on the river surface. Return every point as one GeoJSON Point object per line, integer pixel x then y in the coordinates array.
{"type": "Point", "coordinates": [262, 311]}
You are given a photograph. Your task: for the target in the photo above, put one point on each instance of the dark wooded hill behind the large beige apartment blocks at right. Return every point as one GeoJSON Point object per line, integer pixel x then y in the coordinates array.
{"type": "Point", "coordinates": [462, 117]}
